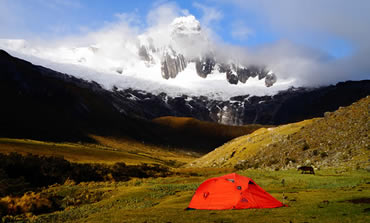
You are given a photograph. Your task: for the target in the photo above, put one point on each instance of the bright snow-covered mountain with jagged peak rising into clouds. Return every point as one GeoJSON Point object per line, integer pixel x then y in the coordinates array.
{"type": "Point", "coordinates": [177, 59]}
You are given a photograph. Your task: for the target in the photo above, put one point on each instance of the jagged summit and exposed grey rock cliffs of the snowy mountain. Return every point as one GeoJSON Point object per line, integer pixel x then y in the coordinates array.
{"type": "Point", "coordinates": [186, 31]}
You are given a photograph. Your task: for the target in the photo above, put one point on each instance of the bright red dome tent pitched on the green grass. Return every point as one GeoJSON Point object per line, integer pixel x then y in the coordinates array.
{"type": "Point", "coordinates": [231, 191]}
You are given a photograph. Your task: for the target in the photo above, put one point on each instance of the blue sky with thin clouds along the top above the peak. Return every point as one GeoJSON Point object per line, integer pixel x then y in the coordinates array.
{"type": "Point", "coordinates": [249, 23]}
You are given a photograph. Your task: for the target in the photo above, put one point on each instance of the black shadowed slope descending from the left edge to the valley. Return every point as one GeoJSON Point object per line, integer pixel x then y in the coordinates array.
{"type": "Point", "coordinates": [39, 103]}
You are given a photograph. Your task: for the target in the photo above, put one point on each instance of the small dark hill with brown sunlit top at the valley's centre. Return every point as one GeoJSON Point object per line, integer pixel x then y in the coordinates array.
{"type": "Point", "coordinates": [200, 135]}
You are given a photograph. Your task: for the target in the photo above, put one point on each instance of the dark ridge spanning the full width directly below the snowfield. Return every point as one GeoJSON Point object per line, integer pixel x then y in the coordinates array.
{"type": "Point", "coordinates": [38, 101]}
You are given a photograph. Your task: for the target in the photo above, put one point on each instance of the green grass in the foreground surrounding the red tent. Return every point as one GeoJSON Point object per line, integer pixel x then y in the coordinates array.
{"type": "Point", "coordinates": [311, 198]}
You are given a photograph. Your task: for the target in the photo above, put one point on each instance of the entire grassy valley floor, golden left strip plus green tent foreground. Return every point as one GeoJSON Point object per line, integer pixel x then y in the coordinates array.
{"type": "Point", "coordinates": [332, 195]}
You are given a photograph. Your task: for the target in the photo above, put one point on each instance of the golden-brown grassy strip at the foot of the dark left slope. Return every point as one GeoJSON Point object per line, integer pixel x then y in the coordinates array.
{"type": "Point", "coordinates": [108, 151]}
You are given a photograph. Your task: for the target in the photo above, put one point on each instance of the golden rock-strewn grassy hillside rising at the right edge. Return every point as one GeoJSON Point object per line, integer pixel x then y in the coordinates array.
{"type": "Point", "coordinates": [338, 139]}
